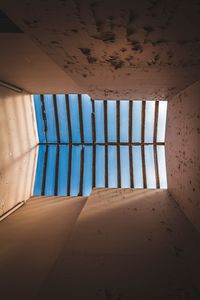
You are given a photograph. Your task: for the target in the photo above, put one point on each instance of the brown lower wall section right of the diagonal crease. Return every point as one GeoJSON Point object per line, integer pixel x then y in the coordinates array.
{"type": "Point", "coordinates": [127, 244]}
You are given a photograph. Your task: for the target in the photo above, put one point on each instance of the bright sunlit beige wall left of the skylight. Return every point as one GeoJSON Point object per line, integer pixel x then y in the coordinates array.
{"type": "Point", "coordinates": [17, 149]}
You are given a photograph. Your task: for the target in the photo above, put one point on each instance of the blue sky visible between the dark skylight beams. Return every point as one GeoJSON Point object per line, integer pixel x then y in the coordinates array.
{"type": "Point", "coordinates": [87, 113]}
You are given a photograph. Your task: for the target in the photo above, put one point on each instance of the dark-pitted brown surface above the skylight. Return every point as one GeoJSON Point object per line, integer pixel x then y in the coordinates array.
{"type": "Point", "coordinates": [116, 49]}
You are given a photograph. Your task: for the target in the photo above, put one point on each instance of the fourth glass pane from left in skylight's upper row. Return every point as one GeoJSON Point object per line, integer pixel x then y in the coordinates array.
{"type": "Point", "coordinates": [74, 117]}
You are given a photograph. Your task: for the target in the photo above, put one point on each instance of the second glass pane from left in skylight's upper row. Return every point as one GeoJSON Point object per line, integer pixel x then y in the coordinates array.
{"type": "Point", "coordinates": [51, 127]}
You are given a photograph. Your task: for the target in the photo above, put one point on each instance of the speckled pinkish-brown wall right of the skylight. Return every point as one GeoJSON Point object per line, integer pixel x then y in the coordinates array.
{"type": "Point", "coordinates": [183, 151]}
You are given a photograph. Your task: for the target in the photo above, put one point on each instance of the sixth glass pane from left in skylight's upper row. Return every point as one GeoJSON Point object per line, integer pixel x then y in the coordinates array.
{"type": "Point", "coordinates": [99, 121]}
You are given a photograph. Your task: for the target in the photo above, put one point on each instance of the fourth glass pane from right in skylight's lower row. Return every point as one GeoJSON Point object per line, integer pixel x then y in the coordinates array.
{"type": "Point", "coordinates": [125, 168]}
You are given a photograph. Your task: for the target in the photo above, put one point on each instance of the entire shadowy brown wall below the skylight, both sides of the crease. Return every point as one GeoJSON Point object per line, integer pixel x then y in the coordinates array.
{"type": "Point", "coordinates": [119, 244]}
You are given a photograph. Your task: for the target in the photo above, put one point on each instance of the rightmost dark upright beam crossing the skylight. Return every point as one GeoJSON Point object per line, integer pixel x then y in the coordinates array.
{"type": "Point", "coordinates": [155, 147]}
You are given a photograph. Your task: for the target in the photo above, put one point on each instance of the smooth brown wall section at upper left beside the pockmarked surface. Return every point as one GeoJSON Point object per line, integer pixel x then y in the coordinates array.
{"type": "Point", "coordinates": [25, 65]}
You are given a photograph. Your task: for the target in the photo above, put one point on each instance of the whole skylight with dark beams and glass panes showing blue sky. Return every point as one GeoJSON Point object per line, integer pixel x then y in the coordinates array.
{"type": "Point", "coordinates": [85, 143]}
